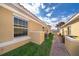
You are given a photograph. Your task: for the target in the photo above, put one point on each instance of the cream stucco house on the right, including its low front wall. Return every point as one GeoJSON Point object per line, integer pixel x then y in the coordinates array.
{"type": "Point", "coordinates": [71, 32]}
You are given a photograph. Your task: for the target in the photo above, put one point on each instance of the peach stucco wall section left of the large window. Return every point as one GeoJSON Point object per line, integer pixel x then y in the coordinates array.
{"type": "Point", "coordinates": [6, 25]}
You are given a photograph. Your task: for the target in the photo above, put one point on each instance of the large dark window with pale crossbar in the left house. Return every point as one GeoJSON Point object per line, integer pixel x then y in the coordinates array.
{"type": "Point", "coordinates": [20, 27]}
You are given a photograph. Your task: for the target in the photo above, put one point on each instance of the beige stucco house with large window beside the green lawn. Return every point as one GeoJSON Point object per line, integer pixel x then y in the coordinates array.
{"type": "Point", "coordinates": [19, 26]}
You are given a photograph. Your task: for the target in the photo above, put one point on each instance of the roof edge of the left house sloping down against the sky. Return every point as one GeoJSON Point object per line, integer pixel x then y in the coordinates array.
{"type": "Point", "coordinates": [26, 12]}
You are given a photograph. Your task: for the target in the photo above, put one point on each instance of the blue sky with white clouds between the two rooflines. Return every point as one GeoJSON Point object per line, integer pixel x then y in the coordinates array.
{"type": "Point", "coordinates": [52, 13]}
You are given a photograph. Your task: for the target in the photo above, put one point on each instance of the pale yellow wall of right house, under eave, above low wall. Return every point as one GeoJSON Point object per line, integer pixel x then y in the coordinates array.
{"type": "Point", "coordinates": [74, 28]}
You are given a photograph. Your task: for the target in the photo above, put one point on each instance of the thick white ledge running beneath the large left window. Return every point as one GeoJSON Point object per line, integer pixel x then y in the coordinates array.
{"type": "Point", "coordinates": [15, 40]}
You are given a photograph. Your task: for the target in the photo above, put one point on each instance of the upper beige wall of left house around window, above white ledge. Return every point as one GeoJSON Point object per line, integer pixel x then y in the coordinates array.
{"type": "Point", "coordinates": [6, 17]}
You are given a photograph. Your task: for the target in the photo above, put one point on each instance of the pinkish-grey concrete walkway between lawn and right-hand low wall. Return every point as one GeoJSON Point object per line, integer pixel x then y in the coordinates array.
{"type": "Point", "coordinates": [58, 48]}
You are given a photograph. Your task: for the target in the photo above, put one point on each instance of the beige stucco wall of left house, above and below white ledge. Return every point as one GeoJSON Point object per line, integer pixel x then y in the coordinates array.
{"type": "Point", "coordinates": [35, 30]}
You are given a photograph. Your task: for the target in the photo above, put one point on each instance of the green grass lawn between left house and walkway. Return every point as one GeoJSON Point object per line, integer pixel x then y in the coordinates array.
{"type": "Point", "coordinates": [32, 49]}
